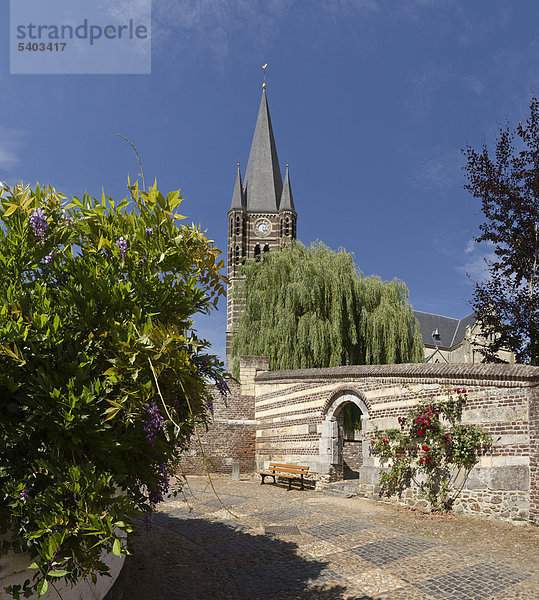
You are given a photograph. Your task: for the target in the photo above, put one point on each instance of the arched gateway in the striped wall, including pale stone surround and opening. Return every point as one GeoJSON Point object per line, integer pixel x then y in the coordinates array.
{"type": "Point", "coordinates": [341, 446]}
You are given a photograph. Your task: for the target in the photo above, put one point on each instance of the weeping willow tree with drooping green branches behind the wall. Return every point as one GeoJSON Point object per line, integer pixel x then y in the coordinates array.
{"type": "Point", "coordinates": [309, 307]}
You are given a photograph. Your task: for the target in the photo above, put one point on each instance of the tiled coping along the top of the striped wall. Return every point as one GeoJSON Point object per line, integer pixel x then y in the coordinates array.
{"type": "Point", "coordinates": [525, 375]}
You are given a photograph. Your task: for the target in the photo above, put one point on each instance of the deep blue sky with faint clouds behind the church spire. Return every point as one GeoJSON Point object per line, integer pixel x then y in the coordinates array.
{"type": "Point", "coordinates": [370, 101]}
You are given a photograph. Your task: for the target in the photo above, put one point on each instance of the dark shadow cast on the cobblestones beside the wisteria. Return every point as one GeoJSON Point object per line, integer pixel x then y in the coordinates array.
{"type": "Point", "coordinates": [192, 558]}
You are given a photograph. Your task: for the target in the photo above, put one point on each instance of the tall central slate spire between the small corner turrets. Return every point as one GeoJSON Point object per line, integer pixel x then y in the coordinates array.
{"type": "Point", "coordinates": [263, 182]}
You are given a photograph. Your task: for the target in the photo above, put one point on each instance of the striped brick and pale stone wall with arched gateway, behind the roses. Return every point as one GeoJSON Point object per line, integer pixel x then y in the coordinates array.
{"type": "Point", "coordinates": [297, 421]}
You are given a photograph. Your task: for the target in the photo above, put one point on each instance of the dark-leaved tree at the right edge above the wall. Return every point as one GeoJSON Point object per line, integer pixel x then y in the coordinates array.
{"type": "Point", "coordinates": [507, 183]}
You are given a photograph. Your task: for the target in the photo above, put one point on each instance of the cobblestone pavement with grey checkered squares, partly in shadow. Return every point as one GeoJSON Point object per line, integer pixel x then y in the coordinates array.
{"type": "Point", "coordinates": [270, 543]}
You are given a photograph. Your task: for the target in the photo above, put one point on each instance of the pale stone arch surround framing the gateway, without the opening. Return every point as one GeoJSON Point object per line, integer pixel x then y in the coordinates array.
{"type": "Point", "coordinates": [331, 441]}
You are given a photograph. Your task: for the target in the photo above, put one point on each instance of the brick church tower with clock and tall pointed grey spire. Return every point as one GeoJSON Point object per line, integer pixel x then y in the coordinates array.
{"type": "Point", "coordinates": [262, 217]}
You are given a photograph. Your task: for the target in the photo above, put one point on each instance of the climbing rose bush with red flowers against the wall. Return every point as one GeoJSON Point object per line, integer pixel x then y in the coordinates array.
{"type": "Point", "coordinates": [432, 450]}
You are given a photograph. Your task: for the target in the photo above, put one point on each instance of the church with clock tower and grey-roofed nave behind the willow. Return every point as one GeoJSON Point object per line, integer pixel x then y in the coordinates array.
{"type": "Point", "coordinates": [262, 218]}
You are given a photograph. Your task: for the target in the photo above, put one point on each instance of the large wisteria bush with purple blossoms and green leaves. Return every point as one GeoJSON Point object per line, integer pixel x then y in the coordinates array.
{"type": "Point", "coordinates": [102, 377]}
